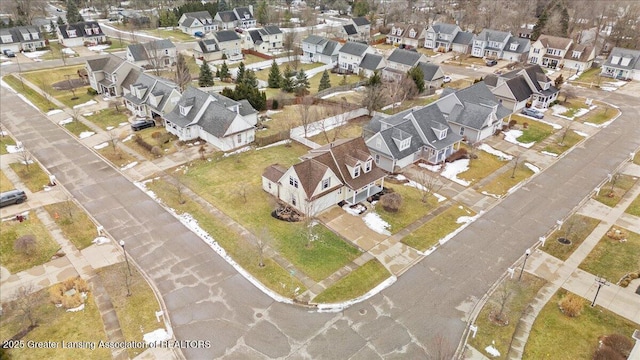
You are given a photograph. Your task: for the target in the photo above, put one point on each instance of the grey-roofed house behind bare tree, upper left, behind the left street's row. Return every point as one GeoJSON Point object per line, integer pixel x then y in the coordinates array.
{"type": "Point", "coordinates": [152, 54]}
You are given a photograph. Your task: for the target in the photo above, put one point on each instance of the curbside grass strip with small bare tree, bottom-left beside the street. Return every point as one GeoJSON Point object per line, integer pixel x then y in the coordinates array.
{"type": "Point", "coordinates": [136, 313]}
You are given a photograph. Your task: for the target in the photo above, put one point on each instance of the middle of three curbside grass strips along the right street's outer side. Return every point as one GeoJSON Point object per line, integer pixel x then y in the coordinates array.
{"type": "Point", "coordinates": [576, 229]}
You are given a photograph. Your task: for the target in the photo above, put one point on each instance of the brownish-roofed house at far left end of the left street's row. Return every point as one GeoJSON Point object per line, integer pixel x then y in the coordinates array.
{"type": "Point", "coordinates": [108, 74]}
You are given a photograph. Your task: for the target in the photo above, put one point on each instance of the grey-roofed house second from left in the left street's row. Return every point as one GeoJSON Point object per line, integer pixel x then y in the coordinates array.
{"type": "Point", "coordinates": [151, 96]}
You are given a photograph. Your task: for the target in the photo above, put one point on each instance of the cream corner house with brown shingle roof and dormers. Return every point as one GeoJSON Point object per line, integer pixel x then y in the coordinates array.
{"type": "Point", "coordinates": [340, 171]}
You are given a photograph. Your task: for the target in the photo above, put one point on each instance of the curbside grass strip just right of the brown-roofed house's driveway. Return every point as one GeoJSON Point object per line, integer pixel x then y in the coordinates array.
{"type": "Point", "coordinates": [437, 228]}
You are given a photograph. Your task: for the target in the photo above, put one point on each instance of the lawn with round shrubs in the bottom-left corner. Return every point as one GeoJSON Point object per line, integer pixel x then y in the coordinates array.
{"type": "Point", "coordinates": [54, 324]}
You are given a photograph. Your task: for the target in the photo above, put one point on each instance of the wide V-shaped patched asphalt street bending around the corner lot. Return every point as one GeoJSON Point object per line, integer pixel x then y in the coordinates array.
{"type": "Point", "coordinates": [208, 300]}
